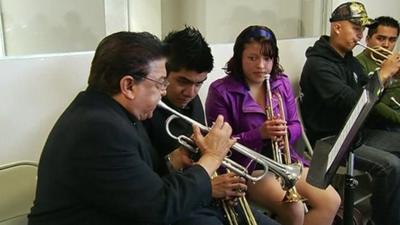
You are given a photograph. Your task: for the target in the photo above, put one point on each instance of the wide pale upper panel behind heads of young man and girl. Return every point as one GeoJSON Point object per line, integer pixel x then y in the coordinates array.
{"type": "Point", "coordinates": [221, 21]}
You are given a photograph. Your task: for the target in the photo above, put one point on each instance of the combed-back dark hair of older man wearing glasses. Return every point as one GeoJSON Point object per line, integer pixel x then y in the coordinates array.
{"type": "Point", "coordinates": [120, 54]}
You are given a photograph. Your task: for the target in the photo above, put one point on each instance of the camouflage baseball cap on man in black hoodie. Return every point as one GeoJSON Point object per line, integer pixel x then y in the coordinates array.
{"type": "Point", "coordinates": [352, 11]}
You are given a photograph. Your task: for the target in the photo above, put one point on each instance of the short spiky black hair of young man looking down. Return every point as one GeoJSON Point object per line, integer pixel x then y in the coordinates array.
{"type": "Point", "coordinates": [187, 49]}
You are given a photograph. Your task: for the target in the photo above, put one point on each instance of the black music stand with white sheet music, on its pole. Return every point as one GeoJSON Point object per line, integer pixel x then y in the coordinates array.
{"type": "Point", "coordinates": [327, 158]}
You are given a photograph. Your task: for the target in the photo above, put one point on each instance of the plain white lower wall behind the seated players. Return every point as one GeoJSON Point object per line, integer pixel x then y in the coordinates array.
{"type": "Point", "coordinates": [36, 90]}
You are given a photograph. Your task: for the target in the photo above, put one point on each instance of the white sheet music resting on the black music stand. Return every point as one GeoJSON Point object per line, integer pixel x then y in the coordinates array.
{"type": "Point", "coordinates": [346, 129]}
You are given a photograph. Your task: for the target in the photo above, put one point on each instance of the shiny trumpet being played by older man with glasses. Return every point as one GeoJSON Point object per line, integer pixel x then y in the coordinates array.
{"type": "Point", "coordinates": [289, 173]}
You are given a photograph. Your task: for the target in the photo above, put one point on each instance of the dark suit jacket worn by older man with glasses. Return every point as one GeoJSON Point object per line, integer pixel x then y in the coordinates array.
{"type": "Point", "coordinates": [96, 168]}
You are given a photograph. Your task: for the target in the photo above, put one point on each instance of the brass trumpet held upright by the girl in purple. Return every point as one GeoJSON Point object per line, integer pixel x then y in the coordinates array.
{"type": "Point", "coordinates": [291, 194]}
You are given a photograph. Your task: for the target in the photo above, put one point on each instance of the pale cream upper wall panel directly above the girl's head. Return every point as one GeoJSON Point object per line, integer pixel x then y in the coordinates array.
{"type": "Point", "coordinates": [282, 16]}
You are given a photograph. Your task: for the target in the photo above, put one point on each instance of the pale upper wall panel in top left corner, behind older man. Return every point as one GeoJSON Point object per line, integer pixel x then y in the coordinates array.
{"type": "Point", "coordinates": [52, 26]}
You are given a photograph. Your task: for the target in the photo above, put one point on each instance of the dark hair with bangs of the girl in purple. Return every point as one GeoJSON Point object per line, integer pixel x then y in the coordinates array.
{"type": "Point", "coordinates": [262, 35]}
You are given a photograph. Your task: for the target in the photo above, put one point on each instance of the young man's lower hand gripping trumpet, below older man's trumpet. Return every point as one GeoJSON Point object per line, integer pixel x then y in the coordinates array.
{"type": "Point", "coordinates": [228, 186]}
